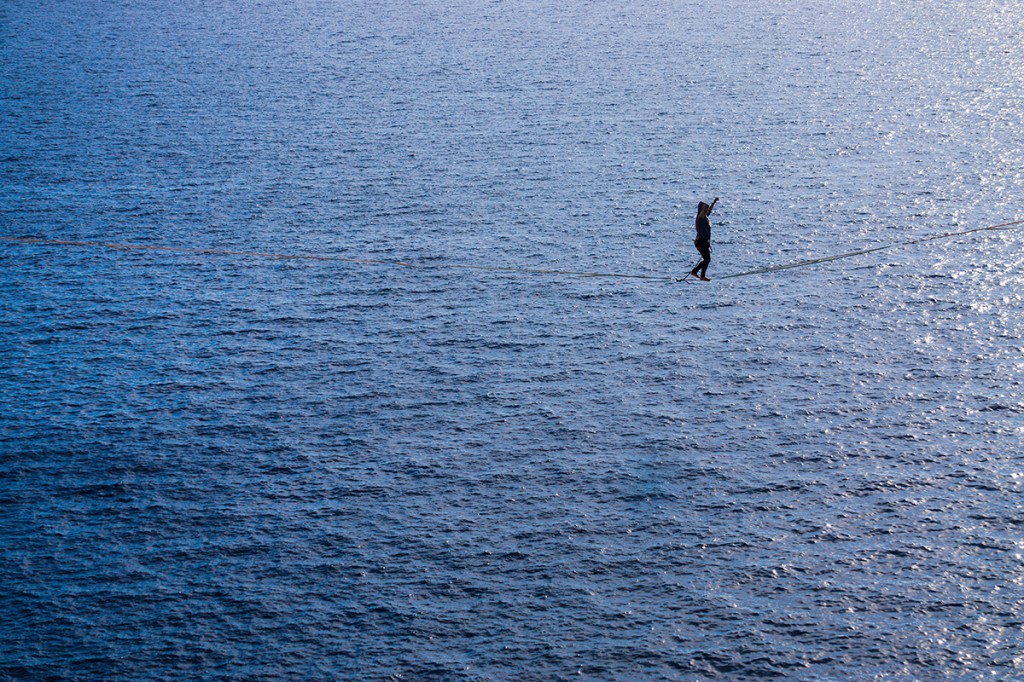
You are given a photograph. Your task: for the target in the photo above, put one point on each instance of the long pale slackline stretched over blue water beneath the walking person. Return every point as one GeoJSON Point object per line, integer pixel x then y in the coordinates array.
{"type": "Point", "coordinates": [492, 269]}
